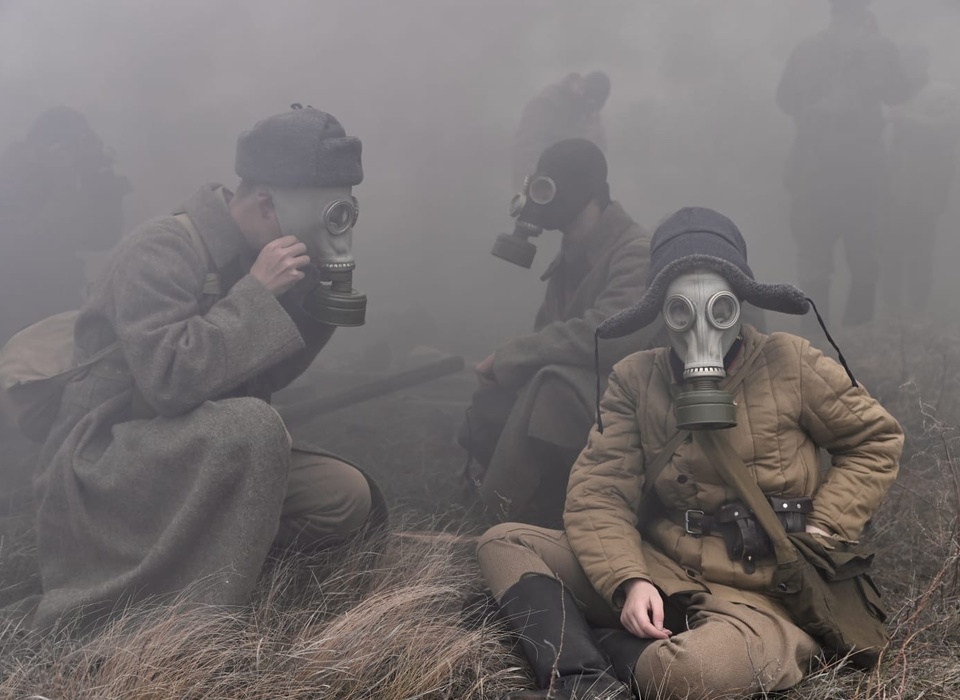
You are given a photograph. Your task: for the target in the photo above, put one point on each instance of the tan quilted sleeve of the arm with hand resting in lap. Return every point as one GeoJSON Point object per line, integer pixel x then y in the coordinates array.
{"type": "Point", "coordinates": [604, 493]}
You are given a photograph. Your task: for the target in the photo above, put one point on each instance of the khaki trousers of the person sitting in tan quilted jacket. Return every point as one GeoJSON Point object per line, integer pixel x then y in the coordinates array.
{"type": "Point", "coordinates": [726, 650]}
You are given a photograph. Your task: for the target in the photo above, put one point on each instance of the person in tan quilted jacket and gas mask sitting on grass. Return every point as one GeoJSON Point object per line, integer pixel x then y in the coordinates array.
{"type": "Point", "coordinates": [668, 594]}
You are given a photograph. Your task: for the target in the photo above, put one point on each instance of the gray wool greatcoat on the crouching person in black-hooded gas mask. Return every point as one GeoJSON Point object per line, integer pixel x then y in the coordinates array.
{"type": "Point", "coordinates": [553, 369]}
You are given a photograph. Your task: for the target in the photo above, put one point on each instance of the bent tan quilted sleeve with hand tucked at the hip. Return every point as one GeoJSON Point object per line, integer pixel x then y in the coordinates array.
{"type": "Point", "coordinates": [863, 439]}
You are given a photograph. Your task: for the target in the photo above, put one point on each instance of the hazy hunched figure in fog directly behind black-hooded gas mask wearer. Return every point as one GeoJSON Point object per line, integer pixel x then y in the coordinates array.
{"type": "Point", "coordinates": [565, 110]}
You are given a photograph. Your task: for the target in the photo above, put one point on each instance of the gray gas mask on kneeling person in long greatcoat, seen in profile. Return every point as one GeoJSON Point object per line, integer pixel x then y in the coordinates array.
{"type": "Point", "coordinates": [323, 219]}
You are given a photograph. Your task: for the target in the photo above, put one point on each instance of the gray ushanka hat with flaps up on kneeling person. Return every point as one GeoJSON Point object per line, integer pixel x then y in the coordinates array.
{"type": "Point", "coordinates": [302, 147]}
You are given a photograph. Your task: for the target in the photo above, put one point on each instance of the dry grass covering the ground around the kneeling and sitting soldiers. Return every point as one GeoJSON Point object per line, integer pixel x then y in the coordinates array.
{"type": "Point", "coordinates": [358, 625]}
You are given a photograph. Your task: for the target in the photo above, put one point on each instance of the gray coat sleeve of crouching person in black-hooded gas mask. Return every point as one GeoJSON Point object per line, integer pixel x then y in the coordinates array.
{"type": "Point", "coordinates": [570, 342]}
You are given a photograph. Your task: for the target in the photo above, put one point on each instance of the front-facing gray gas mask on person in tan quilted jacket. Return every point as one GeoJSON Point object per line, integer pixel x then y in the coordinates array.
{"type": "Point", "coordinates": [702, 315]}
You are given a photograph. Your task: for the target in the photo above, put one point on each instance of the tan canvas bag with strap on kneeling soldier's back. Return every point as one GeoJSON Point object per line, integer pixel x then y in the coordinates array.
{"type": "Point", "coordinates": [37, 363]}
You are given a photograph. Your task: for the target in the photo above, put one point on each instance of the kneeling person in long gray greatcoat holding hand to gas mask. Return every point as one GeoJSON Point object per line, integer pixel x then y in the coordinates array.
{"type": "Point", "coordinates": [167, 473]}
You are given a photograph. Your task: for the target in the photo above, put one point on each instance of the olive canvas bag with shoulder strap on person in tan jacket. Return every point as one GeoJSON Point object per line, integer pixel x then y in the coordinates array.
{"type": "Point", "coordinates": [826, 588]}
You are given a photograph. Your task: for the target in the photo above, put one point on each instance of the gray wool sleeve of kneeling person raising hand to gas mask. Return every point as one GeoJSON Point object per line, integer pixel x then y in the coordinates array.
{"type": "Point", "coordinates": [178, 357]}
